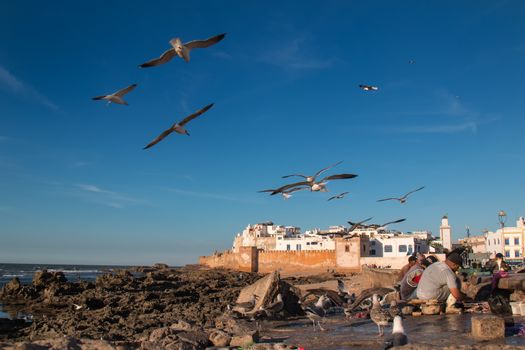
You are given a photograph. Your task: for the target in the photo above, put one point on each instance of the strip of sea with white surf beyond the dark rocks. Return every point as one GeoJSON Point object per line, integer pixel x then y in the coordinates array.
{"type": "Point", "coordinates": [25, 272]}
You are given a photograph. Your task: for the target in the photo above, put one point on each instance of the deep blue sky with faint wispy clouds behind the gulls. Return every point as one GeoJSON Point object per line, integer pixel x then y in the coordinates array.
{"type": "Point", "coordinates": [76, 186]}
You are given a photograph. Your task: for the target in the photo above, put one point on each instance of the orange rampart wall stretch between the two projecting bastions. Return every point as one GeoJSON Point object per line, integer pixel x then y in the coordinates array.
{"type": "Point", "coordinates": [297, 261]}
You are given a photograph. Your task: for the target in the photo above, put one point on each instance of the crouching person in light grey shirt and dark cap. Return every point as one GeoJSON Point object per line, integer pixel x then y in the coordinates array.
{"type": "Point", "coordinates": [439, 281]}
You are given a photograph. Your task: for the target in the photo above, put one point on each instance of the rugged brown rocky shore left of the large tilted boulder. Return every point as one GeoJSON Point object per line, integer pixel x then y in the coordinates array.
{"type": "Point", "coordinates": [148, 309]}
